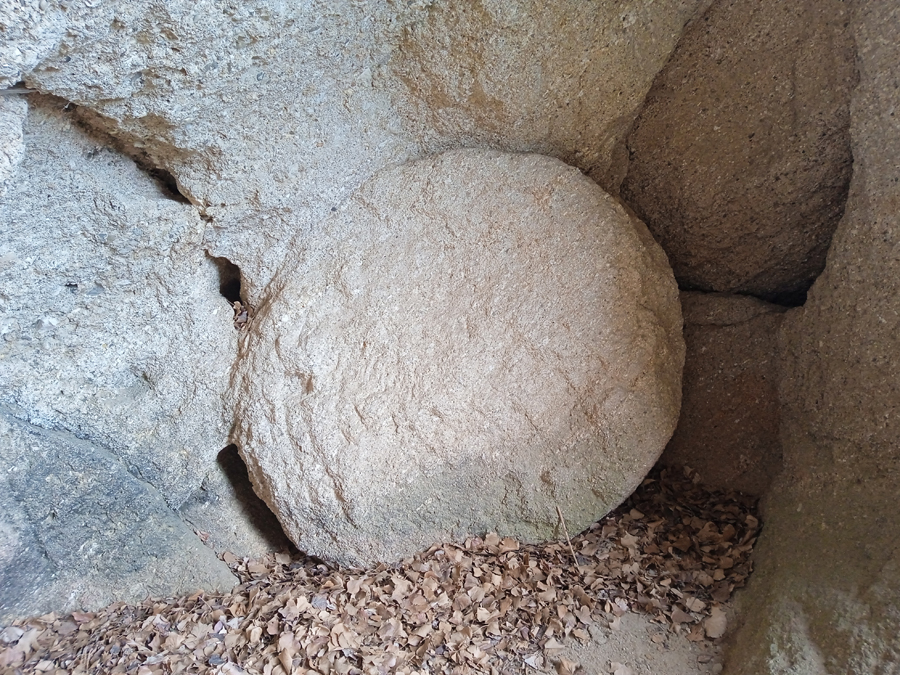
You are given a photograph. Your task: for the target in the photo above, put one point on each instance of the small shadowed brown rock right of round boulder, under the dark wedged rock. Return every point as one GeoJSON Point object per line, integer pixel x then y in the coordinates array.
{"type": "Point", "coordinates": [728, 429]}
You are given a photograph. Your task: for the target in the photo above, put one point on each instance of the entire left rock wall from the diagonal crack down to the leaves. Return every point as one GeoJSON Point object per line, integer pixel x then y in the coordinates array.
{"type": "Point", "coordinates": [114, 358]}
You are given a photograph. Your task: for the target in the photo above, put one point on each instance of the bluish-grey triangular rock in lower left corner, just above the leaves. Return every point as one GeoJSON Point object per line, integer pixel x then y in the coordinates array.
{"type": "Point", "coordinates": [77, 531]}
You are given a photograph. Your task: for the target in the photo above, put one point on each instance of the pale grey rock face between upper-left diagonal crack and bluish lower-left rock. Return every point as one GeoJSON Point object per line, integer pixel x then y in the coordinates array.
{"type": "Point", "coordinates": [111, 320]}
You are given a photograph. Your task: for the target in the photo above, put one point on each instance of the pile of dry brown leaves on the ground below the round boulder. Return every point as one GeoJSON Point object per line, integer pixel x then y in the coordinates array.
{"type": "Point", "coordinates": [673, 549]}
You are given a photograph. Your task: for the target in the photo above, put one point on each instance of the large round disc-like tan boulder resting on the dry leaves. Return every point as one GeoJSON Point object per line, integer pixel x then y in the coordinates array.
{"type": "Point", "coordinates": [468, 343]}
